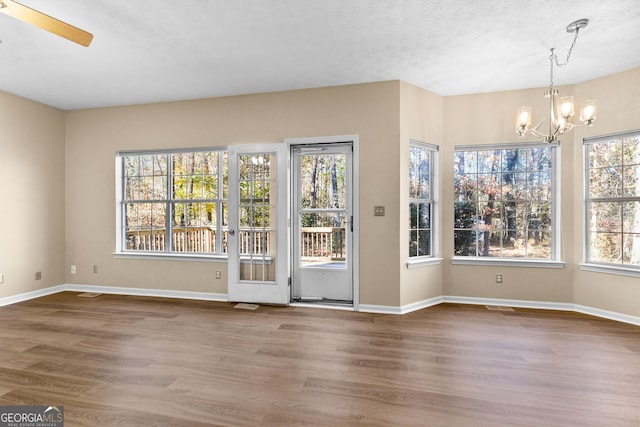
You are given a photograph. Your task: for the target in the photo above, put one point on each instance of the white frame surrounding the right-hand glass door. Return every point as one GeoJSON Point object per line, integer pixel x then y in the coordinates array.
{"type": "Point", "coordinates": [355, 195]}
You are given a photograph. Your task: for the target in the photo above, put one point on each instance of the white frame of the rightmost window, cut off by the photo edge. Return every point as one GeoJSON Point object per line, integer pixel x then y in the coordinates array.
{"type": "Point", "coordinates": [588, 263]}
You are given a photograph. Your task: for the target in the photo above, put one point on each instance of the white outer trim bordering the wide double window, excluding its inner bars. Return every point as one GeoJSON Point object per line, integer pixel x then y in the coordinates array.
{"type": "Point", "coordinates": [148, 255]}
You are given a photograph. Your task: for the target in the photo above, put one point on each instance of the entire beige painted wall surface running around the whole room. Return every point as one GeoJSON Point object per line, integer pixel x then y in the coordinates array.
{"type": "Point", "coordinates": [62, 186]}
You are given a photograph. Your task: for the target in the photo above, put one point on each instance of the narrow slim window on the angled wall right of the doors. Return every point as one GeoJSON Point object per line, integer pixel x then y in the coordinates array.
{"type": "Point", "coordinates": [421, 198]}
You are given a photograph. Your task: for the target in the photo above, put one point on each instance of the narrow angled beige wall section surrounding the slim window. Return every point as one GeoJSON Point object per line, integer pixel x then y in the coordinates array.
{"type": "Point", "coordinates": [421, 119]}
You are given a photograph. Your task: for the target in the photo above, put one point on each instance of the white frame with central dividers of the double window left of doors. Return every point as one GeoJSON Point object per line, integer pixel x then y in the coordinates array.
{"type": "Point", "coordinates": [220, 201]}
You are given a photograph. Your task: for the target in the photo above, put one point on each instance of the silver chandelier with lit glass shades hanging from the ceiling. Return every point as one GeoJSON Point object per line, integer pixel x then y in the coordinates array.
{"type": "Point", "coordinates": [560, 110]}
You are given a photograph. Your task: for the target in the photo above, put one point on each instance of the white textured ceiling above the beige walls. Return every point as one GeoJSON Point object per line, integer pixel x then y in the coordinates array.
{"type": "Point", "coordinates": [163, 50]}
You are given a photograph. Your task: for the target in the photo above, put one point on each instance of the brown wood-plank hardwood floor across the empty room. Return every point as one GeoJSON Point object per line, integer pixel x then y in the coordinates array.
{"type": "Point", "coordinates": [137, 361]}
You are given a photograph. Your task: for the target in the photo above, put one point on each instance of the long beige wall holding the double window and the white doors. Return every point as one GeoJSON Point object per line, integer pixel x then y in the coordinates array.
{"type": "Point", "coordinates": [93, 137]}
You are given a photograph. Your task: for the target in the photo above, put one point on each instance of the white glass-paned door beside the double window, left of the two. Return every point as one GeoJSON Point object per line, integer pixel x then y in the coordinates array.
{"type": "Point", "coordinates": [257, 242]}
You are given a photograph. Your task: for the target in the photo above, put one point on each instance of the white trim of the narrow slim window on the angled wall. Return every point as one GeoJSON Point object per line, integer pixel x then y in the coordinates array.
{"type": "Point", "coordinates": [433, 259]}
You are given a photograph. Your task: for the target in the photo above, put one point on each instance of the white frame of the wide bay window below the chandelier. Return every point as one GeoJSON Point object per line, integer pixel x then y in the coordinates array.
{"type": "Point", "coordinates": [554, 260]}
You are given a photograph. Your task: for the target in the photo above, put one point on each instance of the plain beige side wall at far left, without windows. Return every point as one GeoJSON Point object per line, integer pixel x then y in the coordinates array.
{"type": "Point", "coordinates": [33, 205]}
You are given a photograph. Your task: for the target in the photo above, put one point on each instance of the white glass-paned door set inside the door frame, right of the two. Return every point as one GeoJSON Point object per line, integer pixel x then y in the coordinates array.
{"type": "Point", "coordinates": [322, 223]}
